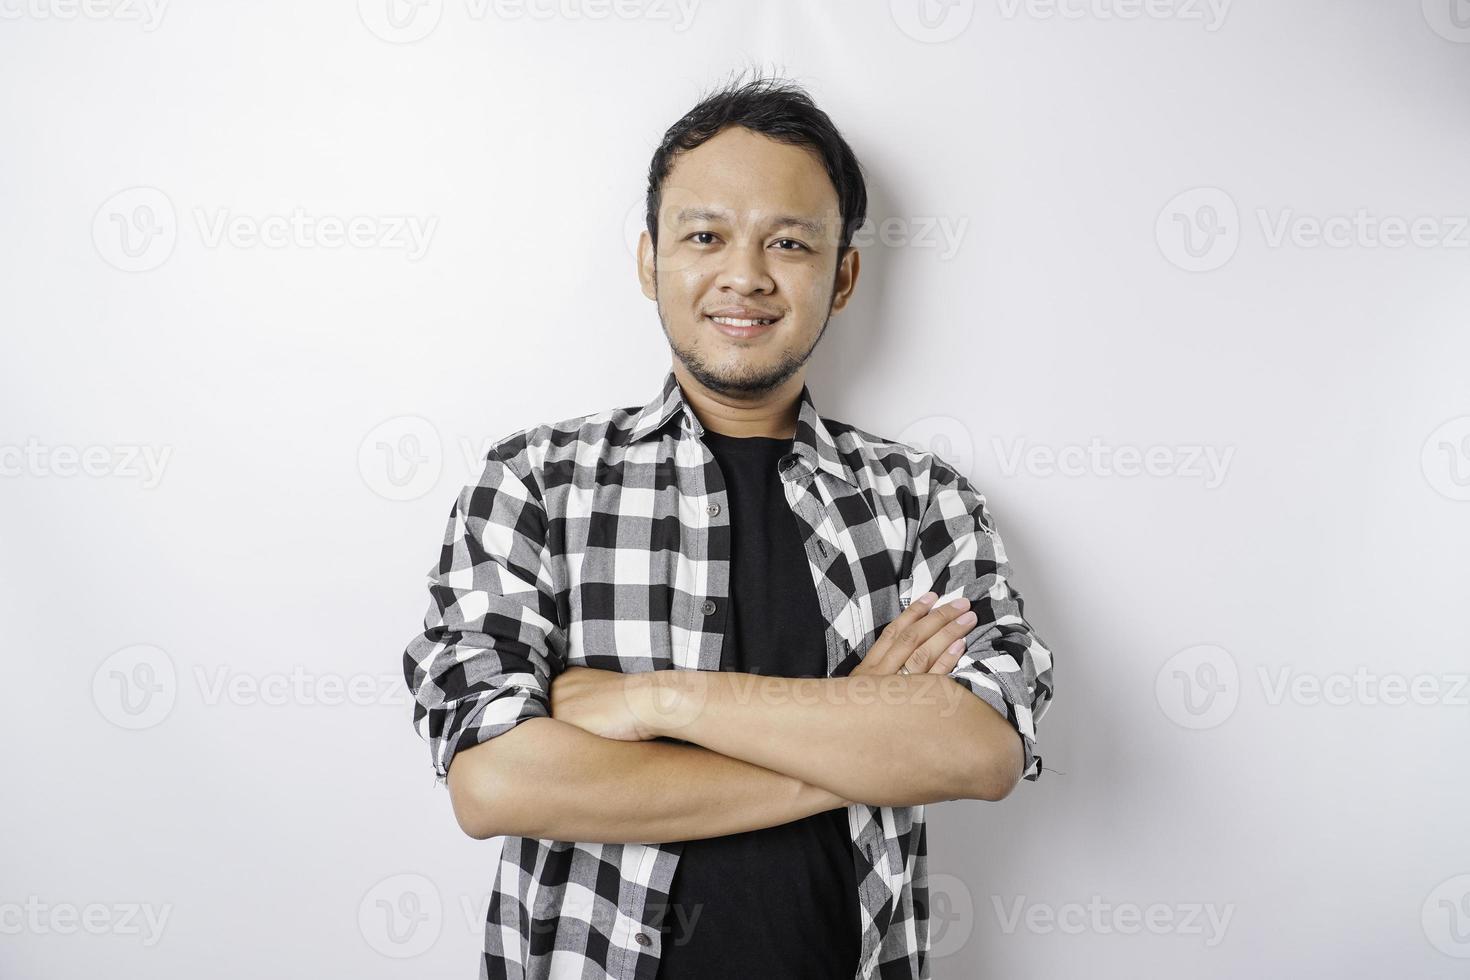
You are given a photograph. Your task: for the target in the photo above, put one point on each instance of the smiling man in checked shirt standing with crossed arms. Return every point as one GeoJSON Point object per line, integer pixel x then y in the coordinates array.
{"type": "Point", "coordinates": [668, 650]}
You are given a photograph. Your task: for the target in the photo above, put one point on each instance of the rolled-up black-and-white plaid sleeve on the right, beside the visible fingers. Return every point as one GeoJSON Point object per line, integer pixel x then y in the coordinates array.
{"type": "Point", "coordinates": [961, 553]}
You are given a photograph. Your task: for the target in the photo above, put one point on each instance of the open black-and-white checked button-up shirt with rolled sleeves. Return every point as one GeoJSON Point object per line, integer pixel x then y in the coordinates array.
{"type": "Point", "coordinates": [603, 541]}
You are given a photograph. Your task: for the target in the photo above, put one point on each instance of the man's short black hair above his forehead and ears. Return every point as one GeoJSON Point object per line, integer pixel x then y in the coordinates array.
{"type": "Point", "coordinates": [781, 111]}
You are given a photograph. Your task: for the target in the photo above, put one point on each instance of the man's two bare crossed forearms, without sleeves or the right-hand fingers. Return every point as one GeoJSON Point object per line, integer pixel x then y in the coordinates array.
{"type": "Point", "coordinates": [753, 760]}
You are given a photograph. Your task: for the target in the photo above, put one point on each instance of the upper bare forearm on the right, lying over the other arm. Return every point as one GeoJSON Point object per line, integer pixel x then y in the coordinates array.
{"type": "Point", "coordinates": [893, 740]}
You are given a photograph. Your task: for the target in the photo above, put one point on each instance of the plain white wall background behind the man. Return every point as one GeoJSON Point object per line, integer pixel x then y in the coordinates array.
{"type": "Point", "coordinates": [1261, 671]}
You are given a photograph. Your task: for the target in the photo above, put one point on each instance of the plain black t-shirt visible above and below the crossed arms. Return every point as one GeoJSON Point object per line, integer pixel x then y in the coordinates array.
{"type": "Point", "coordinates": [780, 901]}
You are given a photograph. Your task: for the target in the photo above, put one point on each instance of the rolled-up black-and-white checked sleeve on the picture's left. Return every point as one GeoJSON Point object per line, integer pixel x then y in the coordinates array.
{"type": "Point", "coordinates": [492, 643]}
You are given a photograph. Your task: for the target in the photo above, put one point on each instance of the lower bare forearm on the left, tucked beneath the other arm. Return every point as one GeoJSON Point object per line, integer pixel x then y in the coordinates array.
{"type": "Point", "coordinates": [553, 781]}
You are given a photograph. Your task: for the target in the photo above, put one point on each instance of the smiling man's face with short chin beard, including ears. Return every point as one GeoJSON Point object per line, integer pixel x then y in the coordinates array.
{"type": "Point", "coordinates": [747, 230]}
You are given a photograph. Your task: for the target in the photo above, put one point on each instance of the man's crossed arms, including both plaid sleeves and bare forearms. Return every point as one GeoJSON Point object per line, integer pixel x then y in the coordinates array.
{"type": "Point", "coordinates": [599, 756]}
